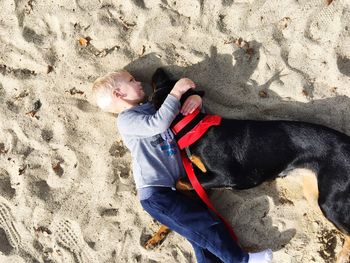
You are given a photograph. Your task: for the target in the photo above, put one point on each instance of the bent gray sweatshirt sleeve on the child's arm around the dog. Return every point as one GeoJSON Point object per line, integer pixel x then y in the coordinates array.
{"type": "Point", "coordinates": [143, 125]}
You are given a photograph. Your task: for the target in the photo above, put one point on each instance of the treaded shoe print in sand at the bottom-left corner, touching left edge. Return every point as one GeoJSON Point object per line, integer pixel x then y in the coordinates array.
{"type": "Point", "coordinates": [15, 233]}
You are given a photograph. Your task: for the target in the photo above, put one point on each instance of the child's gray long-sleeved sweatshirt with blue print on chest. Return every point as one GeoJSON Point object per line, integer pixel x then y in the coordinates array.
{"type": "Point", "coordinates": [155, 155]}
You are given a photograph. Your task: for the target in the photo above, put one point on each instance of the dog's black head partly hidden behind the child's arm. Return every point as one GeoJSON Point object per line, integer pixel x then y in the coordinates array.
{"type": "Point", "coordinates": [162, 85]}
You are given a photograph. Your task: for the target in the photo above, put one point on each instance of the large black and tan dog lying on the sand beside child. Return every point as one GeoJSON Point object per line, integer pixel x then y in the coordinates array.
{"type": "Point", "coordinates": [244, 153]}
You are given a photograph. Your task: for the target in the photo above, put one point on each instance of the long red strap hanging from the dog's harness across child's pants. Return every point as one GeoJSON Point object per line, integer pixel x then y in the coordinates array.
{"type": "Point", "coordinates": [202, 194]}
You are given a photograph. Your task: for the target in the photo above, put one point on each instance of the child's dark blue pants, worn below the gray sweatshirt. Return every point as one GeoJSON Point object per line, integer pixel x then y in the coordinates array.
{"type": "Point", "coordinates": [192, 219]}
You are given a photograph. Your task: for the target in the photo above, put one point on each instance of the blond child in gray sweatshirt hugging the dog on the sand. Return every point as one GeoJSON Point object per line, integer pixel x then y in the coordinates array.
{"type": "Point", "coordinates": [157, 165]}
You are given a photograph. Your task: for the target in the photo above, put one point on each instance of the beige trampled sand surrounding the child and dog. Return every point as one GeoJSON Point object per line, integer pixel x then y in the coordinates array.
{"type": "Point", "coordinates": [67, 193]}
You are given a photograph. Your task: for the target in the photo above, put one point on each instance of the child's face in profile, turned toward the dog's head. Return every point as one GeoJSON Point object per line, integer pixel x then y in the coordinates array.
{"type": "Point", "coordinates": [129, 89]}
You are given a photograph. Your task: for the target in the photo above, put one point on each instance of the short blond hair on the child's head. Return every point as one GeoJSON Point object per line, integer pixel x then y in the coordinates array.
{"type": "Point", "coordinates": [103, 87]}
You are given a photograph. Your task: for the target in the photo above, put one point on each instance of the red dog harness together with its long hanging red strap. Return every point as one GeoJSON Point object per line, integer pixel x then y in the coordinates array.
{"type": "Point", "coordinates": [189, 138]}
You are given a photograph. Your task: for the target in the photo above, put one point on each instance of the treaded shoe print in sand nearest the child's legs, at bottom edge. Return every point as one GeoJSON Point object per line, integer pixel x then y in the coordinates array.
{"type": "Point", "coordinates": [68, 234]}
